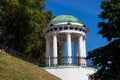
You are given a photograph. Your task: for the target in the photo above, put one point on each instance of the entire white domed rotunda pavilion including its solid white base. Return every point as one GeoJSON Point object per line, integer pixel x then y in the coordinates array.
{"type": "Point", "coordinates": [66, 48]}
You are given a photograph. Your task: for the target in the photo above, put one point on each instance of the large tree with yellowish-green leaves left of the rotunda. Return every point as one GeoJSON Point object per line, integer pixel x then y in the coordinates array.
{"type": "Point", "coordinates": [22, 23]}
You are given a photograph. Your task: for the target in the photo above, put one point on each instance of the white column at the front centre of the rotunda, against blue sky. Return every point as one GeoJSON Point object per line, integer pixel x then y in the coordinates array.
{"type": "Point", "coordinates": [69, 50]}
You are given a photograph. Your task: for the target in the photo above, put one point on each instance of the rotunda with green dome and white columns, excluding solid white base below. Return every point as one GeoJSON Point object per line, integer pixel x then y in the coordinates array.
{"type": "Point", "coordinates": [66, 29]}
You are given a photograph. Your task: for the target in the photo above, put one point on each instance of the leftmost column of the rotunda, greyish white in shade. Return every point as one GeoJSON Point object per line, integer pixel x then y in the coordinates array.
{"type": "Point", "coordinates": [47, 52]}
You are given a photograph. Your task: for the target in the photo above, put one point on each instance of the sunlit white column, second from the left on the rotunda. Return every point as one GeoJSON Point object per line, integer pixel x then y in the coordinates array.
{"type": "Point", "coordinates": [54, 49]}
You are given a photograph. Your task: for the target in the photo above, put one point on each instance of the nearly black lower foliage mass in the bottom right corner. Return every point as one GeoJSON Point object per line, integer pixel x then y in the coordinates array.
{"type": "Point", "coordinates": [107, 59]}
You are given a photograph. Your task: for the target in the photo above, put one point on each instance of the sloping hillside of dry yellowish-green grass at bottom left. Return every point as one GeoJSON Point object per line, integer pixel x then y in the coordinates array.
{"type": "Point", "coordinates": [12, 68]}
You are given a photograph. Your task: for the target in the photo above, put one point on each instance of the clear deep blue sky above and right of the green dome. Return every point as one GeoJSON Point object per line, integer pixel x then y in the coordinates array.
{"type": "Point", "coordinates": [85, 10]}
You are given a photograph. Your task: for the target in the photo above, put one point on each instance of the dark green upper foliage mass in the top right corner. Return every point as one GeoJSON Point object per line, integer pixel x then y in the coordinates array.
{"type": "Point", "coordinates": [110, 26]}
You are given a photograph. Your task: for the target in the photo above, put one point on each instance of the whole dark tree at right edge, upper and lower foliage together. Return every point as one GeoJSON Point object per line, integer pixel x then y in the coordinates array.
{"type": "Point", "coordinates": [107, 58]}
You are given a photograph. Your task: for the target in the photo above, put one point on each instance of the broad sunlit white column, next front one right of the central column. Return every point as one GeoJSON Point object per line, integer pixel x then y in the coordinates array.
{"type": "Point", "coordinates": [81, 50]}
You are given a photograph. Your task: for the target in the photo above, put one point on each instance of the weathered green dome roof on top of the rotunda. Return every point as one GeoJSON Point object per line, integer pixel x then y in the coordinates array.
{"type": "Point", "coordinates": [64, 18]}
